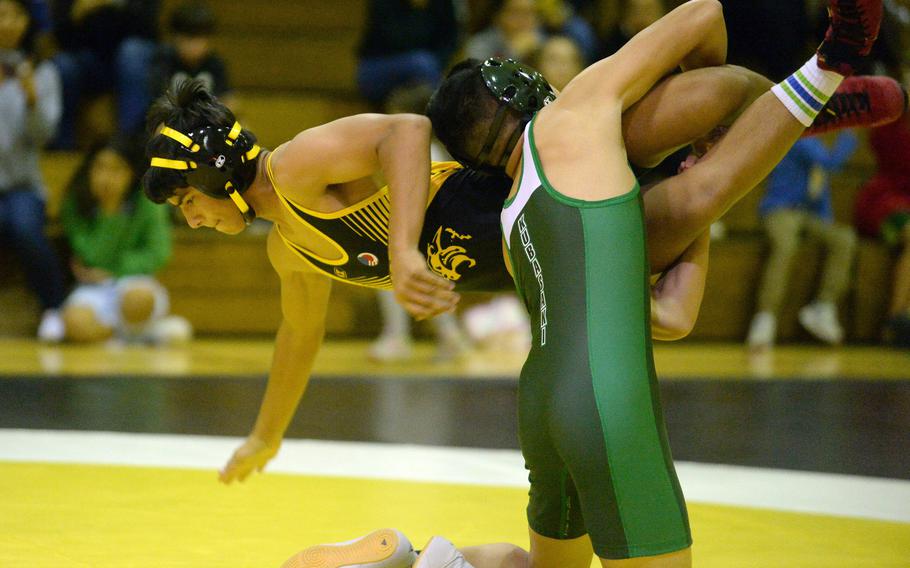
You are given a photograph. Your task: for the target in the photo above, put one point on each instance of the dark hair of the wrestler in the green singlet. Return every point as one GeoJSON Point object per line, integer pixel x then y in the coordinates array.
{"type": "Point", "coordinates": [462, 109]}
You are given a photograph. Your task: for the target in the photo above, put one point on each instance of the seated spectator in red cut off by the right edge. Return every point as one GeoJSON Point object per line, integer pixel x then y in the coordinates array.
{"type": "Point", "coordinates": [883, 211]}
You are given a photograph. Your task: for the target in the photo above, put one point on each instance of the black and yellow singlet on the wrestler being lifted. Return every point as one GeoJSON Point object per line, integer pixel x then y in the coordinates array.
{"type": "Point", "coordinates": [461, 236]}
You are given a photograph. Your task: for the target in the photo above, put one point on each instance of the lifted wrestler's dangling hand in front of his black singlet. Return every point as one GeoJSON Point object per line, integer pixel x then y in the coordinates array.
{"type": "Point", "coordinates": [422, 293]}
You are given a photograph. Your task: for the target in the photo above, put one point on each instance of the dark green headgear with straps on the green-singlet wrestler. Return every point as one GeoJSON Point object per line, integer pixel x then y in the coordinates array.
{"type": "Point", "coordinates": [517, 87]}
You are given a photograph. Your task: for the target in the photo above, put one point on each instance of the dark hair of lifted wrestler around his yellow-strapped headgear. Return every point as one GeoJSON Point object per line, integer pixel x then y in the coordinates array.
{"type": "Point", "coordinates": [186, 108]}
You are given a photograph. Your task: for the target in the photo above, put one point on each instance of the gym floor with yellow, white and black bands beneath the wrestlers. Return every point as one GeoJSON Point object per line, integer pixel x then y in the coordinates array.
{"type": "Point", "coordinates": [108, 456]}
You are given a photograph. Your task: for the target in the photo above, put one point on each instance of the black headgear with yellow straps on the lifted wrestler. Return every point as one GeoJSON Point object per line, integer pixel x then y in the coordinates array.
{"type": "Point", "coordinates": [212, 157]}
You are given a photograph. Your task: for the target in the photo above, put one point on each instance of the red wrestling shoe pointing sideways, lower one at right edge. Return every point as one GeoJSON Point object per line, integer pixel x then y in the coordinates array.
{"type": "Point", "coordinates": [863, 101]}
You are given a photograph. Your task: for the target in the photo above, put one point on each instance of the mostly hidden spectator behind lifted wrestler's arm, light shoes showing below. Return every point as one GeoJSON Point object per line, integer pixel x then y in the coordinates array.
{"type": "Point", "coordinates": [395, 341]}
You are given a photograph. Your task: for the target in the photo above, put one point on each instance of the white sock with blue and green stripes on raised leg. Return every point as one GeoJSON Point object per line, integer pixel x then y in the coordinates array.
{"type": "Point", "coordinates": [805, 92]}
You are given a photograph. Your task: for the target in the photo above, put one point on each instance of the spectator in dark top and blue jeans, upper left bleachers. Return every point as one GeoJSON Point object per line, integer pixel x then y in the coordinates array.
{"type": "Point", "coordinates": [106, 47]}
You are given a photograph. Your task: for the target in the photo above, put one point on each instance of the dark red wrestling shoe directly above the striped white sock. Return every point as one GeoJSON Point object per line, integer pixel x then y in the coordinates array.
{"type": "Point", "coordinates": [852, 32]}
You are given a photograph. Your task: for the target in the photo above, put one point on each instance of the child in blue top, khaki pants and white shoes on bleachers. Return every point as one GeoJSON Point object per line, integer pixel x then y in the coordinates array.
{"type": "Point", "coordinates": [796, 202]}
